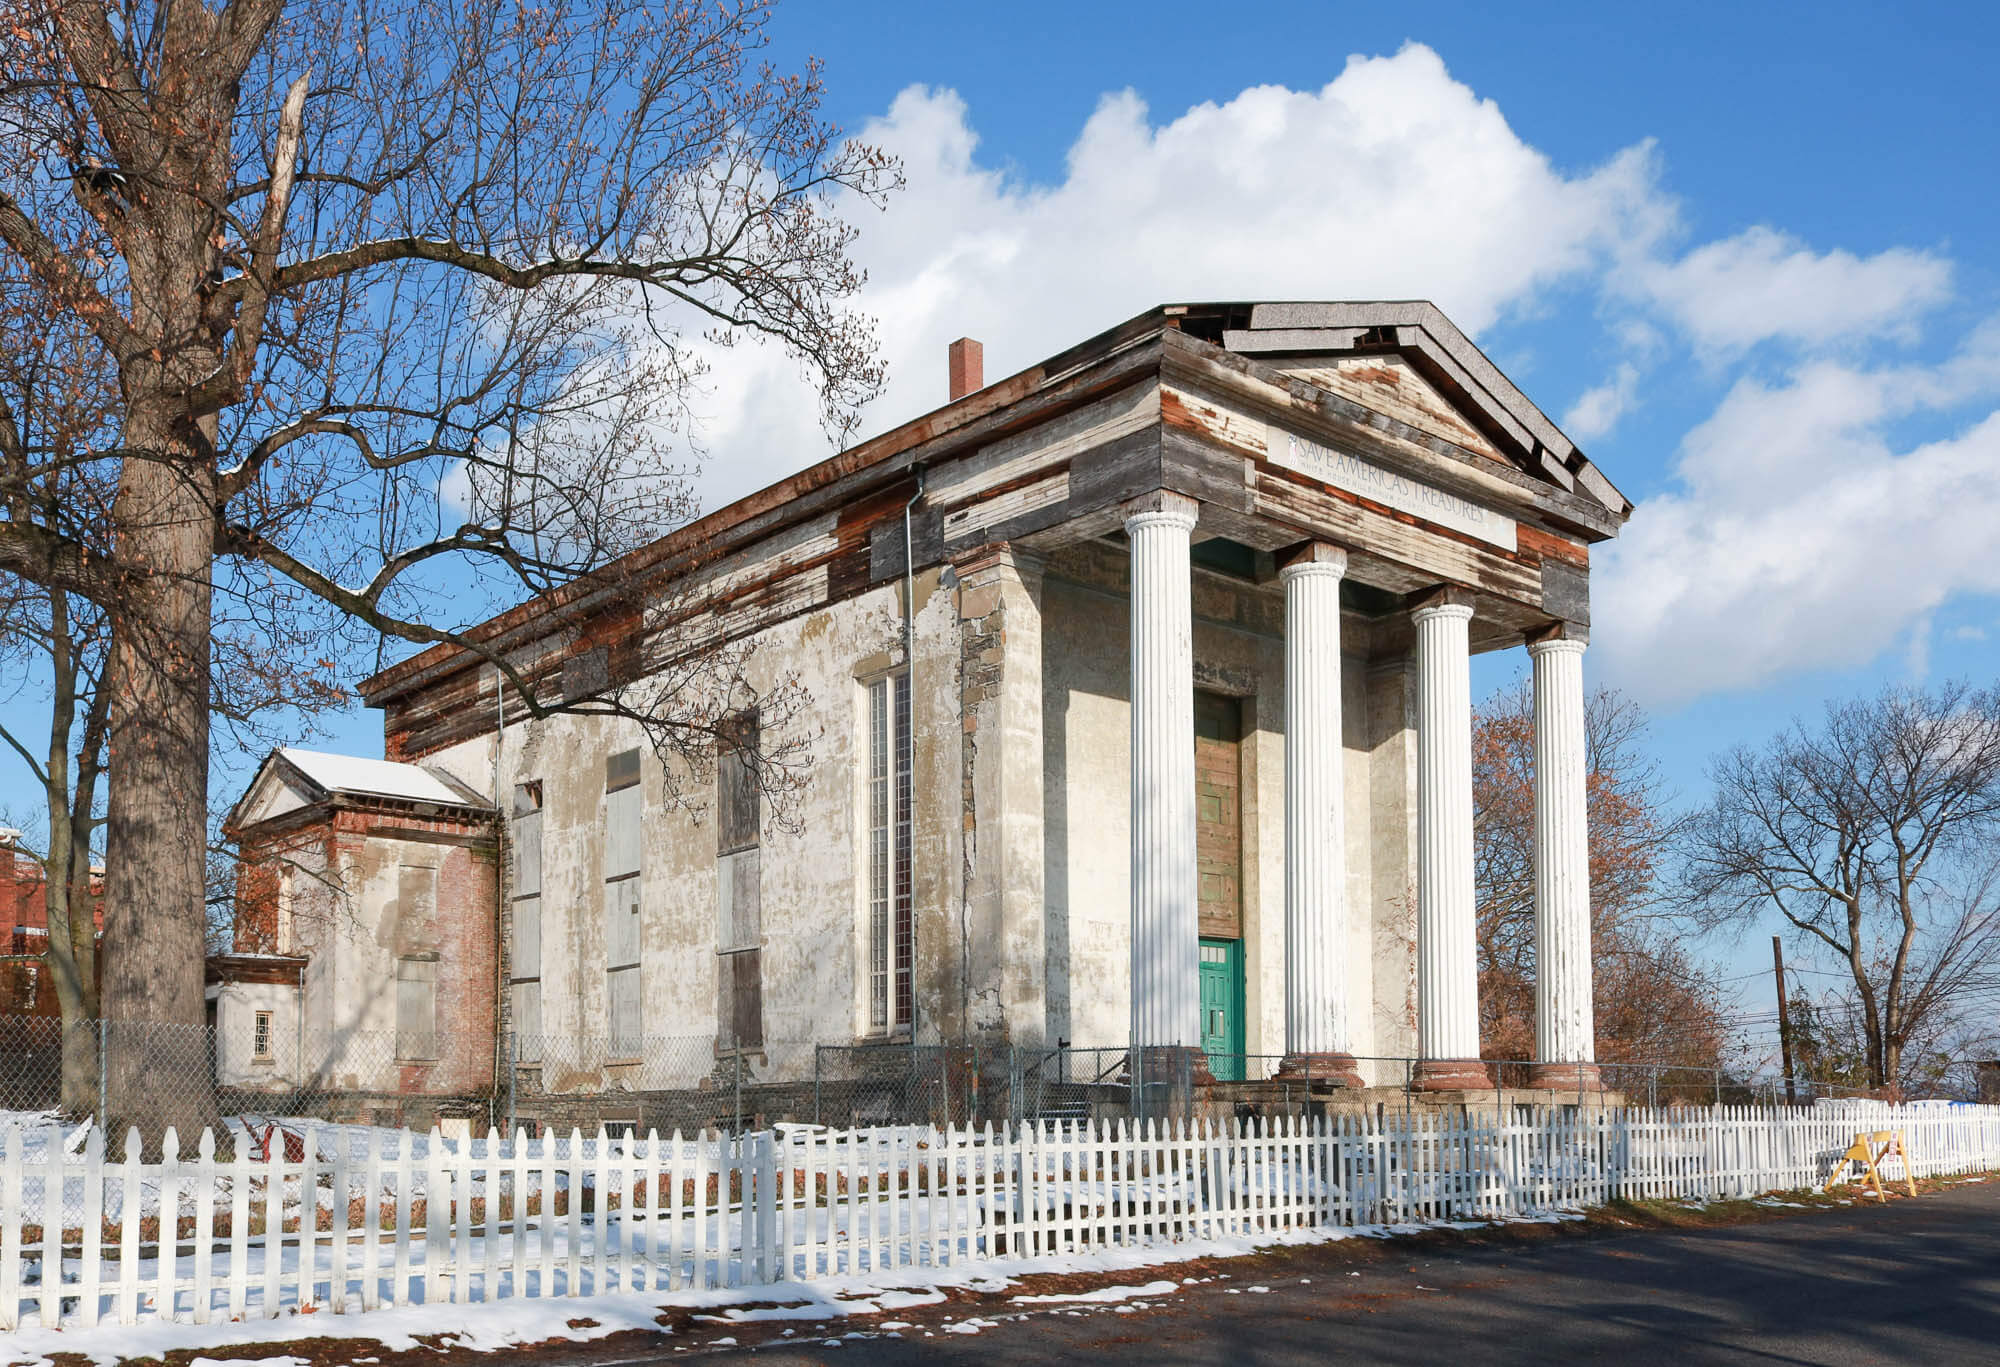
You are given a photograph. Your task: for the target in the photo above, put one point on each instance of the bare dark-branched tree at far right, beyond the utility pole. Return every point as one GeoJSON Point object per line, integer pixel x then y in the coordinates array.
{"type": "Point", "coordinates": [1873, 836]}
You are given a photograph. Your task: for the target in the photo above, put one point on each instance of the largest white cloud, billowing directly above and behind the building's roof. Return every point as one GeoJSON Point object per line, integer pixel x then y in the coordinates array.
{"type": "Point", "coordinates": [1393, 181]}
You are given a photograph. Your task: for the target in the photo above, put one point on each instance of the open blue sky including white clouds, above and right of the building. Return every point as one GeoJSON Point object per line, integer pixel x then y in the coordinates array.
{"type": "Point", "coordinates": [1747, 255]}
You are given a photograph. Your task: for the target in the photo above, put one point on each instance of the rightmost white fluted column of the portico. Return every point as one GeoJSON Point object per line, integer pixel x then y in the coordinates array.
{"type": "Point", "coordinates": [1565, 1026]}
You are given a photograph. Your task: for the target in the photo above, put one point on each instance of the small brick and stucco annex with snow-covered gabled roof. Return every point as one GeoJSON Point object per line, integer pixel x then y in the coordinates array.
{"type": "Point", "coordinates": [365, 944]}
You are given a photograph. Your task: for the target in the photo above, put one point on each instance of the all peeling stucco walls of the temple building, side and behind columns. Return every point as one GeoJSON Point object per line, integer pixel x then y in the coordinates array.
{"type": "Point", "coordinates": [1021, 824]}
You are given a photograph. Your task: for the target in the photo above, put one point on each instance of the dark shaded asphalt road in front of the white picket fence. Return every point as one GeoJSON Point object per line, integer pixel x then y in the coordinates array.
{"type": "Point", "coordinates": [1911, 1284]}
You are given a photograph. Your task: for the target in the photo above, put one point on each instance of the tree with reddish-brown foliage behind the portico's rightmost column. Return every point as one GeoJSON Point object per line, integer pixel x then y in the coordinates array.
{"type": "Point", "coordinates": [1655, 1002]}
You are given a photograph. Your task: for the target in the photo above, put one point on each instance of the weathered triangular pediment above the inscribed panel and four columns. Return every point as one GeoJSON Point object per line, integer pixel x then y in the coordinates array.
{"type": "Point", "coordinates": [1409, 363]}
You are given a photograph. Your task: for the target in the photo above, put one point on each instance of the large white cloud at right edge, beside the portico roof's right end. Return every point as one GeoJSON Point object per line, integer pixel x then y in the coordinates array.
{"type": "Point", "coordinates": [1803, 533]}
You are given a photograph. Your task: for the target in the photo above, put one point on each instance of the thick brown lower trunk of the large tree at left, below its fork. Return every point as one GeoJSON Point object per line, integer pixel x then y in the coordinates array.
{"type": "Point", "coordinates": [157, 824]}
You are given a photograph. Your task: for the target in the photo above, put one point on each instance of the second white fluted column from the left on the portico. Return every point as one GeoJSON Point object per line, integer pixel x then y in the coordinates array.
{"type": "Point", "coordinates": [1317, 1028]}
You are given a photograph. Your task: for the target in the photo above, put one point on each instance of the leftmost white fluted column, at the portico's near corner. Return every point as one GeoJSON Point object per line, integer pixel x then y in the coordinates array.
{"type": "Point", "coordinates": [1167, 1002]}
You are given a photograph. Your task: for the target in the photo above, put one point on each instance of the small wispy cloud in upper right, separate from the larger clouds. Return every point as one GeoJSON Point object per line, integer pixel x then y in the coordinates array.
{"type": "Point", "coordinates": [1765, 285]}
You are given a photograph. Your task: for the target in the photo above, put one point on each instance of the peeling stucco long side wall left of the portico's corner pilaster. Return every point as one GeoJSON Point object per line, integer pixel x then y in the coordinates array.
{"type": "Point", "coordinates": [811, 878]}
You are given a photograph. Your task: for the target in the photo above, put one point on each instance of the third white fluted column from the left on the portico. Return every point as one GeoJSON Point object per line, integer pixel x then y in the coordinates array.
{"type": "Point", "coordinates": [1447, 968]}
